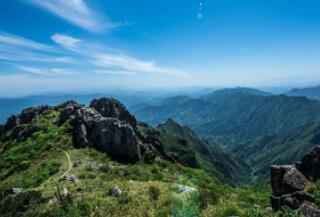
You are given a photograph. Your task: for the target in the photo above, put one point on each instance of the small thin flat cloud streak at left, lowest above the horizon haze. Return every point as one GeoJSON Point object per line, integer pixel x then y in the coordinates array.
{"type": "Point", "coordinates": [46, 71]}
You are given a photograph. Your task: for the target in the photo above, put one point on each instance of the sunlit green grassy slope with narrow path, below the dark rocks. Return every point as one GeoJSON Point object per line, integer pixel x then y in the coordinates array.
{"type": "Point", "coordinates": [148, 189]}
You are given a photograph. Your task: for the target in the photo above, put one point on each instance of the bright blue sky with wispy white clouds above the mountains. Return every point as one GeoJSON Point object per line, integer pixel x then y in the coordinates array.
{"type": "Point", "coordinates": [94, 45]}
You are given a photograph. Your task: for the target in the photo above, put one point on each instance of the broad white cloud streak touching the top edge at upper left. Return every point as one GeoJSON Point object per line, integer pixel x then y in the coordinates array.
{"type": "Point", "coordinates": [76, 12]}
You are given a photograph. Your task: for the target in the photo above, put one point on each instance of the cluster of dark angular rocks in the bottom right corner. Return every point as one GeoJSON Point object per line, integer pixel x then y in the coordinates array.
{"type": "Point", "coordinates": [290, 181]}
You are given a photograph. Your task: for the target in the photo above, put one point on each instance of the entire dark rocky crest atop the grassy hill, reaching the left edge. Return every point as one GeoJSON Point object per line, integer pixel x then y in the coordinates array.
{"type": "Point", "coordinates": [106, 125]}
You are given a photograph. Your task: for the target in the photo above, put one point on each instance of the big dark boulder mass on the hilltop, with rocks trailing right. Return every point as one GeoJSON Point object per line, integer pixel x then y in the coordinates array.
{"type": "Point", "coordinates": [108, 126]}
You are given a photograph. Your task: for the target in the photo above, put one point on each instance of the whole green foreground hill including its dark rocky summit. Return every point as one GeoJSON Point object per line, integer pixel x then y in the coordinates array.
{"type": "Point", "coordinates": [58, 161]}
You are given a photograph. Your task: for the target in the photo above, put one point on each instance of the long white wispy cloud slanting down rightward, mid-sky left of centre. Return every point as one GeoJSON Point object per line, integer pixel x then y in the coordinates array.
{"type": "Point", "coordinates": [110, 60]}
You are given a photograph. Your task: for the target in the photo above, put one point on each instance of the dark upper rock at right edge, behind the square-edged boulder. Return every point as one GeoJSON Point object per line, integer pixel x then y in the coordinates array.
{"type": "Point", "coordinates": [310, 164]}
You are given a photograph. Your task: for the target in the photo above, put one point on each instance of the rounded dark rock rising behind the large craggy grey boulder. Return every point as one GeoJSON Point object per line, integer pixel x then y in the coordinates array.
{"type": "Point", "coordinates": [112, 108]}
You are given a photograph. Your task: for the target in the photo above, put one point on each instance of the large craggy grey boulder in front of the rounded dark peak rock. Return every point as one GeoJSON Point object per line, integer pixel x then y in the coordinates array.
{"type": "Point", "coordinates": [111, 135]}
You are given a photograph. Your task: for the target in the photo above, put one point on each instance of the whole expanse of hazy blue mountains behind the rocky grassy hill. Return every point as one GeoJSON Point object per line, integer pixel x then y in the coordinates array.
{"type": "Point", "coordinates": [249, 123]}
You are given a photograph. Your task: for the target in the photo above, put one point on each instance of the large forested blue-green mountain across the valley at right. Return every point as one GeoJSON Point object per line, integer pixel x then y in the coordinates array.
{"type": "Point", "coordinates": [242, 122]}
